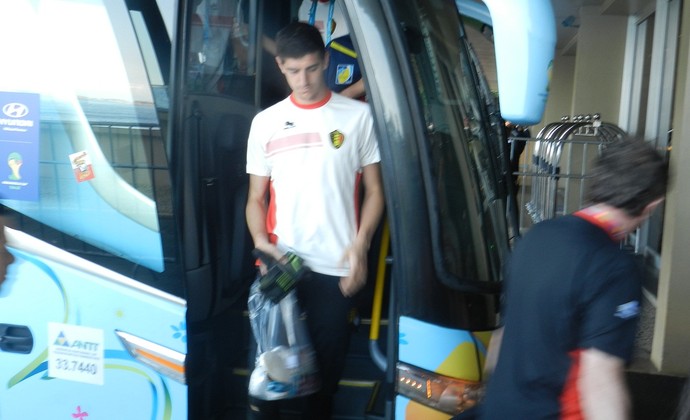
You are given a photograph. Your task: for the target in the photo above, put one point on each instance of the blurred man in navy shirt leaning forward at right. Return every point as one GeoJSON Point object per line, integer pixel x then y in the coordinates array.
{"type": "Point", "coordinates": [571, 300]}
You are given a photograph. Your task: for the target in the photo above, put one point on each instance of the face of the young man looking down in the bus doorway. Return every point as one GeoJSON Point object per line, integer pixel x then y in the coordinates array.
{"type": "Point", "coordinates": [305, 77]}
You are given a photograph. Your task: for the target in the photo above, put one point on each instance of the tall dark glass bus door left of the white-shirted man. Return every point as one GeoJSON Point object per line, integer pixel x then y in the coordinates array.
{"type": "Point", "coordinates": [222, 76]}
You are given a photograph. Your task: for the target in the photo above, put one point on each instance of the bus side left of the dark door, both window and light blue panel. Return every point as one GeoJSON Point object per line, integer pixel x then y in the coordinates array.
{"type": "Point", "coordinates": [92, 315]}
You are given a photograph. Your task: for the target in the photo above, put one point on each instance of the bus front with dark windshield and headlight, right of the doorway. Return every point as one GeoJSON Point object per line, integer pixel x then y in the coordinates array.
{"type": "Point", "coordinates": [445, 182]}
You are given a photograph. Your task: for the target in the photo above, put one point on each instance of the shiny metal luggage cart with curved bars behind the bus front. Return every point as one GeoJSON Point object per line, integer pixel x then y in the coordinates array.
{"type": "Point", "coordinates": [561, 155]}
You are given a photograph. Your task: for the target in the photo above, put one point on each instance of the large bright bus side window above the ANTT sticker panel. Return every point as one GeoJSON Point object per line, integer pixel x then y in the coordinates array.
{"type": "Point", "coordinates": [94, 176]}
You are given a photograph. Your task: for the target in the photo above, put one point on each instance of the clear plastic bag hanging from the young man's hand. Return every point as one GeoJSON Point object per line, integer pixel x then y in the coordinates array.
{"type": "Point", "coordinates": [285, 365]}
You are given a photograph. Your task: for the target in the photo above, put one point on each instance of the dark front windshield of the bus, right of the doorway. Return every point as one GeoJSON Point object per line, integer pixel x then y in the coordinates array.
{"type": "Point", "coordinates": [470, 219]}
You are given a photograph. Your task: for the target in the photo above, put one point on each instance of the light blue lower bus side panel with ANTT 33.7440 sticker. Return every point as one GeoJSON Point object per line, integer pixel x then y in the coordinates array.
{"type": "Point", "coordinates": [77, 364]}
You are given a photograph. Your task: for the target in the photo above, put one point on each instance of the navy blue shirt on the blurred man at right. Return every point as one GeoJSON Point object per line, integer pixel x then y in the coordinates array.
{"type": "Point", "coordinates": [569, 287]}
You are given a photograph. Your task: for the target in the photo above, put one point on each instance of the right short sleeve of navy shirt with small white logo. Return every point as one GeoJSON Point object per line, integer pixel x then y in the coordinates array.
{"type": "Point", "coordinates": [610, 311]}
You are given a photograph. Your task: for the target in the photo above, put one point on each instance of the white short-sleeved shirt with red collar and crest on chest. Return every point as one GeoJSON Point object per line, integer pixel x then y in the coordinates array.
{"type": "Point", "coordinates": [314, 156]}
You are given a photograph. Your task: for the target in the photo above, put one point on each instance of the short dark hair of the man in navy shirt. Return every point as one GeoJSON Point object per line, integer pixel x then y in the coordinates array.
{"type": "Point", "coordinates": [629, 174]}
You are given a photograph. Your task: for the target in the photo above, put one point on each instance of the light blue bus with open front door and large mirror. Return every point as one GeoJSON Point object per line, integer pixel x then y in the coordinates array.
{"type": "Point", "coordinates": [124, 124]}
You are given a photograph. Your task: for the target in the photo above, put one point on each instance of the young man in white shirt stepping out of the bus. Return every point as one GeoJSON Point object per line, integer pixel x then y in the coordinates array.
{"type": "Point", "coordinates": [311, 154]}
